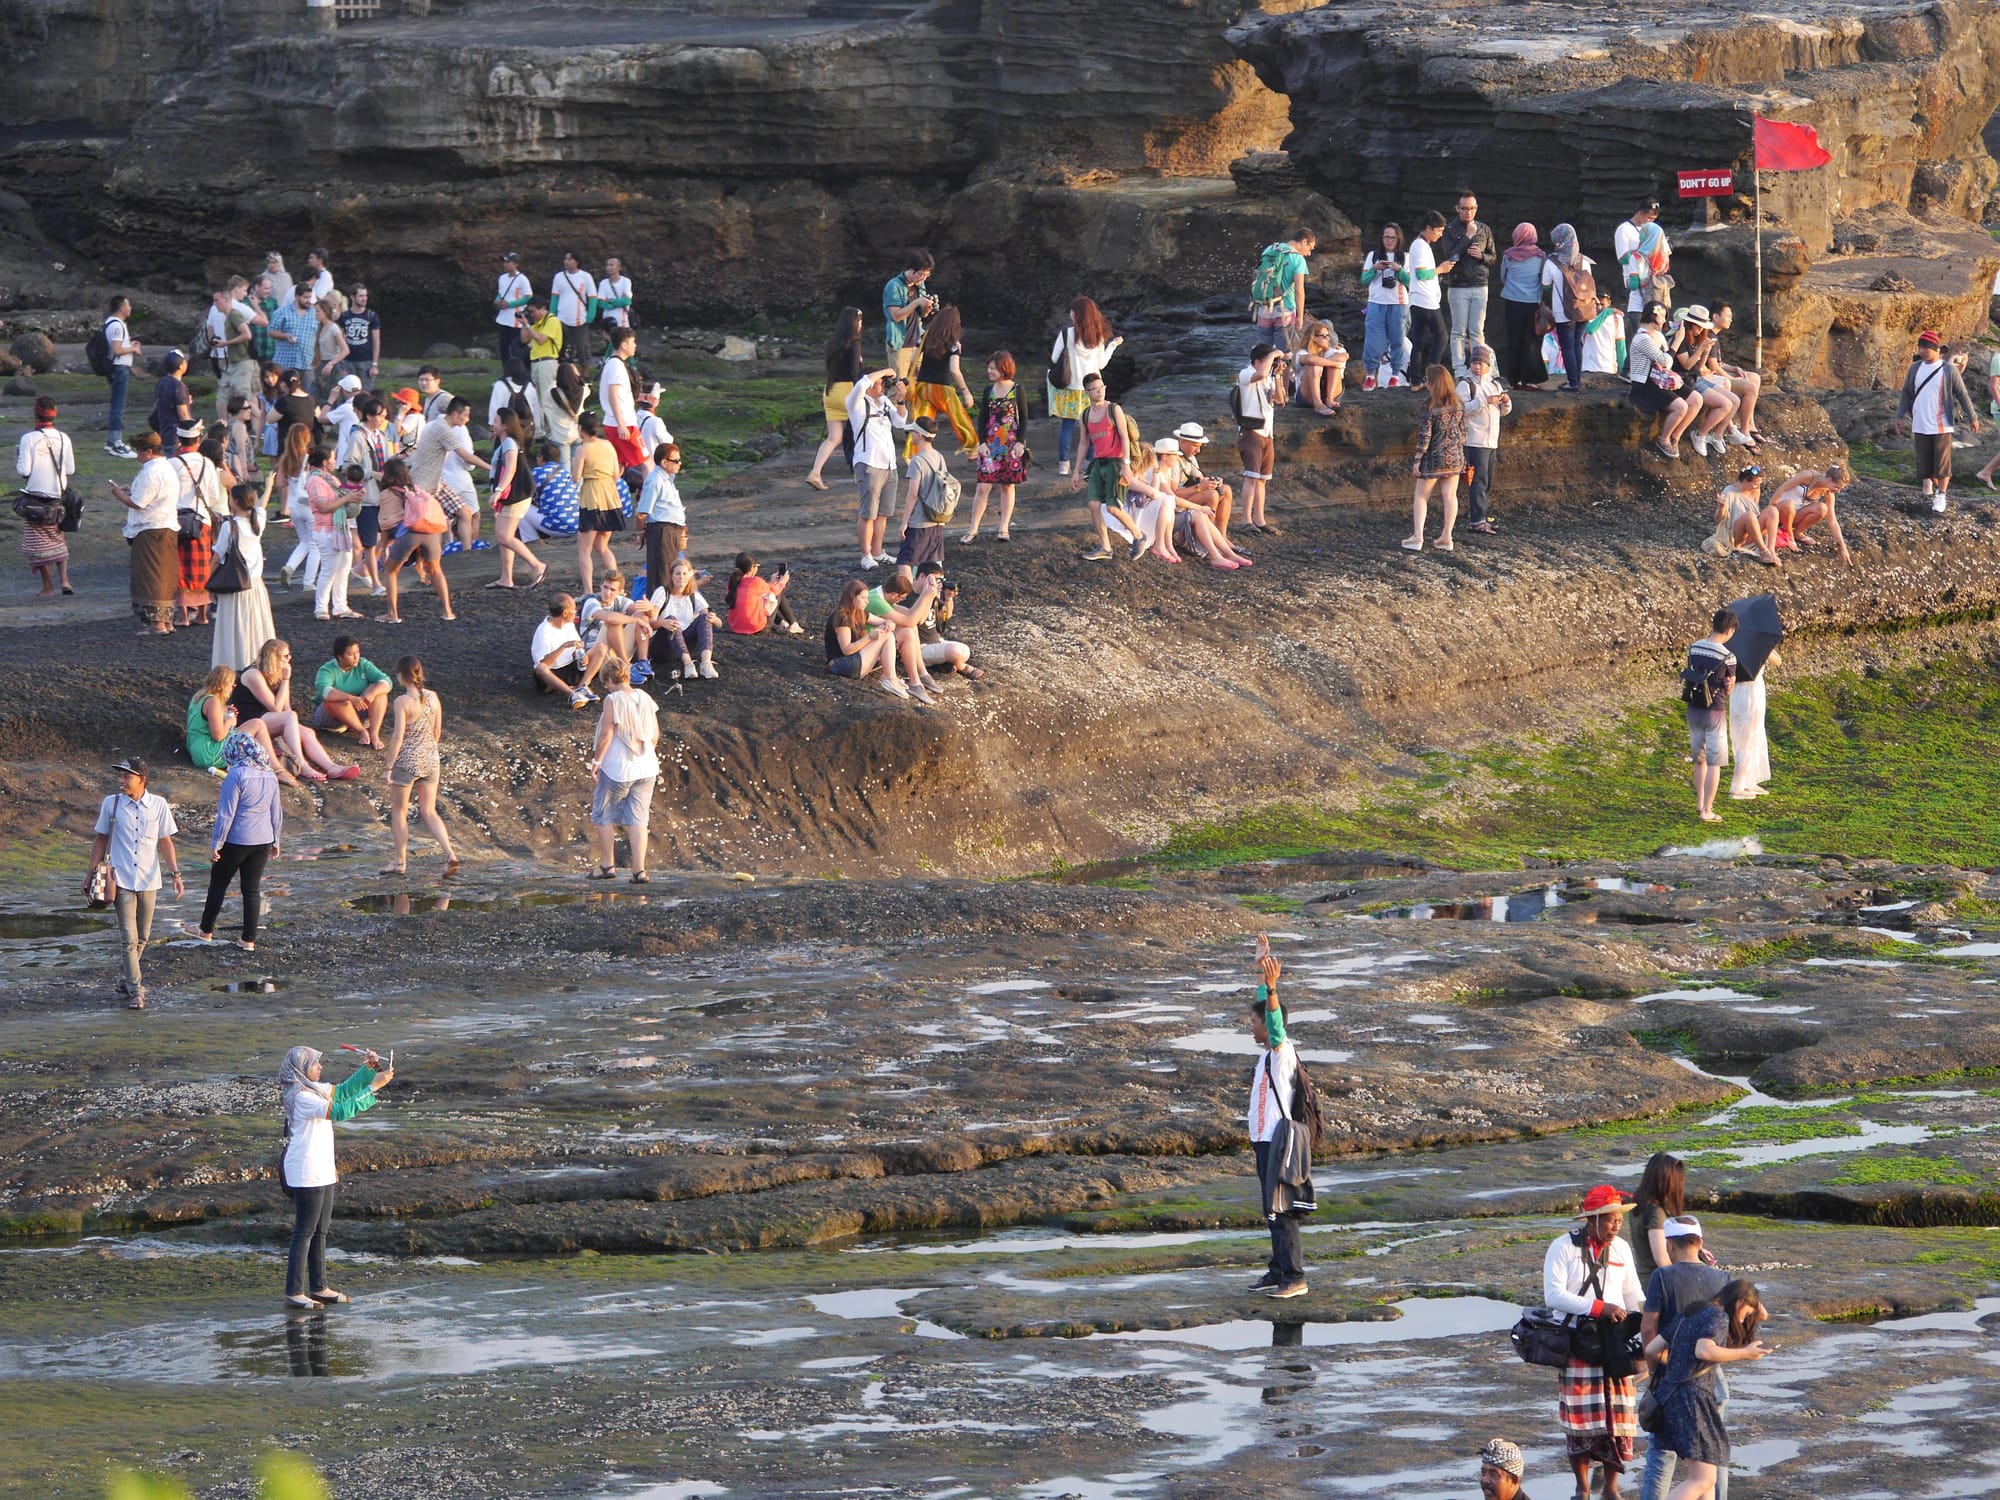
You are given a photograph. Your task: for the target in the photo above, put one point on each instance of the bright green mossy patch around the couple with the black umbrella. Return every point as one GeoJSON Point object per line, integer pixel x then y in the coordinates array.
{"type": "Point", "coordinates": [1889, 767]}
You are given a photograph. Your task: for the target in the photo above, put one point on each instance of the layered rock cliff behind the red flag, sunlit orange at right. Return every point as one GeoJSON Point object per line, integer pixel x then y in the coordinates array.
{"type": "Point", "coordinates": [1573, 113]}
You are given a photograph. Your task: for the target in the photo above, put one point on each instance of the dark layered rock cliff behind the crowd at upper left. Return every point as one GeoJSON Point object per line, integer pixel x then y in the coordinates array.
{"type": "Point", "coordinates": [739, 163]}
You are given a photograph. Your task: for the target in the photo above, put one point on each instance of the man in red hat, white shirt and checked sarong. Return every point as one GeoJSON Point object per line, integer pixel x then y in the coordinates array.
{"type": "Point", "coordinates": [1589, 1277]}
